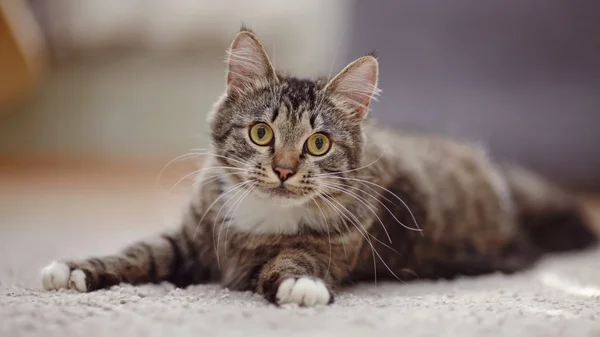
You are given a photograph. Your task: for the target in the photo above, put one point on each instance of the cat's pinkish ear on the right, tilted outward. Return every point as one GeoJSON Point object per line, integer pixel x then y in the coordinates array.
{"type": "Point", "coordinates": [355, 86]}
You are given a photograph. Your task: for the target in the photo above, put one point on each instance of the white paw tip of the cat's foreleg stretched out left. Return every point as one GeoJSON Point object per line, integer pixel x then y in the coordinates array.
{"type": "Point", "coordinates": [57, 275]}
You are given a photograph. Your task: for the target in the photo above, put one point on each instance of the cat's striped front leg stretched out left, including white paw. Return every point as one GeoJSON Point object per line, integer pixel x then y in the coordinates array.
{"type": "Point", "coordinates": [170, 257]}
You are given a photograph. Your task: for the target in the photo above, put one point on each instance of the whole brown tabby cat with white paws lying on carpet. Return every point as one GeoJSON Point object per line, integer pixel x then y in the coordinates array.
{"type": "Point", "coordinates": [302, 193]}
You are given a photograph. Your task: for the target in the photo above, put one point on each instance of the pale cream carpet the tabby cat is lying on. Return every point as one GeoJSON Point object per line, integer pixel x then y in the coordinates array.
{"type": "Point", "coordinates": [560, 297]}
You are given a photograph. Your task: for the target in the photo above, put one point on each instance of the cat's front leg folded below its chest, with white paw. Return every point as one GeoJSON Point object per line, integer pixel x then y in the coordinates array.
{"type": "Point", "coordinates": [297, 276]}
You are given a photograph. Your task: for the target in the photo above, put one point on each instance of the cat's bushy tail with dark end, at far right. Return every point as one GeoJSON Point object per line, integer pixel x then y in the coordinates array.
{"type": "Point", "coordinates": [554, 220]}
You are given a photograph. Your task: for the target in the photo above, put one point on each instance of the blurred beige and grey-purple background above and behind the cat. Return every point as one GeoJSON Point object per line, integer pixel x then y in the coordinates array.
{"type": "Point", "coordinates": [113, 86]}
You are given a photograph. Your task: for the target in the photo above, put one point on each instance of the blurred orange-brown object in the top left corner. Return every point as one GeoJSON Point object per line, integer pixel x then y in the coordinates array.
{"type": "Point", "coordinates": [21, 51]}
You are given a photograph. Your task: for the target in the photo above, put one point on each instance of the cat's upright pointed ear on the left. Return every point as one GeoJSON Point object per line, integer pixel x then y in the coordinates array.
{"type": "Point", "coordinates": [248, 63]}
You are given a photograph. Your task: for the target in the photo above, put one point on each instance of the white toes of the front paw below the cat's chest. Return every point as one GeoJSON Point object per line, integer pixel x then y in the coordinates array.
{"type": "Point", "coordinates": [304, 291]}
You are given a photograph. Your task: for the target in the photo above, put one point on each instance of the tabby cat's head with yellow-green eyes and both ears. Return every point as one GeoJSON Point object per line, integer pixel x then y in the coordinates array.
{"type": "Point", "coordinates": [280, 134]}
